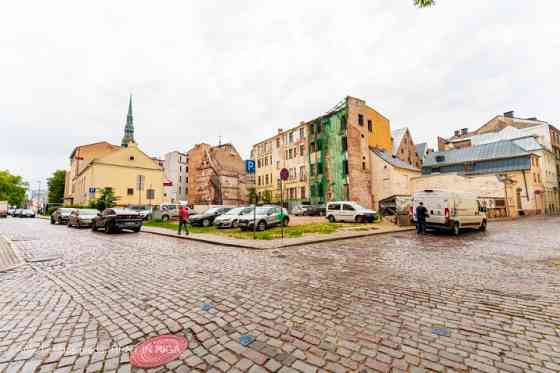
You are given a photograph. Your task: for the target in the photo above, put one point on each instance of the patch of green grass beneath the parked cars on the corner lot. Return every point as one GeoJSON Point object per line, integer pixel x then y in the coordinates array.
{"type": "Point", "coordinates": [270, 234]}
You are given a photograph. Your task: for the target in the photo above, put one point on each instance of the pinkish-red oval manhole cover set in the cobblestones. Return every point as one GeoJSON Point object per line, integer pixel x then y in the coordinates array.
{"type": "Point", "coordinates": [158, 351]}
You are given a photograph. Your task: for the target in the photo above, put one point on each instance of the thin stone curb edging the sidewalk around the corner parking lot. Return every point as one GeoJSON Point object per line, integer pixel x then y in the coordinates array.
{"type": "Point", "coordinates": [287, 245]}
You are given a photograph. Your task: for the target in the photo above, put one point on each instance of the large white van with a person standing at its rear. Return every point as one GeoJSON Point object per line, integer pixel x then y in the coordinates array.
{"type": "Point", "coordinates": [450, 211]}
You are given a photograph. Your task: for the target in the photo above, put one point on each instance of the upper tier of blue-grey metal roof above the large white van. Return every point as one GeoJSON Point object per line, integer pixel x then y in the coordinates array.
{"type": "Point", "coordinates": [495, 150]}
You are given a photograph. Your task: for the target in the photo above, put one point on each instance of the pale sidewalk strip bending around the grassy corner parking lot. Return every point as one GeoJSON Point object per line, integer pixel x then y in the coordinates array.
{"type": "Point", "coordinates": [383, 228]}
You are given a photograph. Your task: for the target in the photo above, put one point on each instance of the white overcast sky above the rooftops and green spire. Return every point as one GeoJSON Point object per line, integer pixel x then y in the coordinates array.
{"type": "Point", "coordinates": [242, 69]}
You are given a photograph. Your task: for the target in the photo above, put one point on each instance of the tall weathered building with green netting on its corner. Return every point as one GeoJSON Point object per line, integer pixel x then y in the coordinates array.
{"type": "Point", "coordinates": [327, 157]}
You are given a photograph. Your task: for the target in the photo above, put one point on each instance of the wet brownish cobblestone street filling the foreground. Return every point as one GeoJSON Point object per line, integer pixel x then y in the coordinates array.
{"type": "Point", "coordinates": [84, 299]}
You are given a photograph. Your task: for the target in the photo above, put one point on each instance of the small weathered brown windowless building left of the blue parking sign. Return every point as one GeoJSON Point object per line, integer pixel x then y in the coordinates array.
{"type": "Point", "coordinates": [216, 176]}
